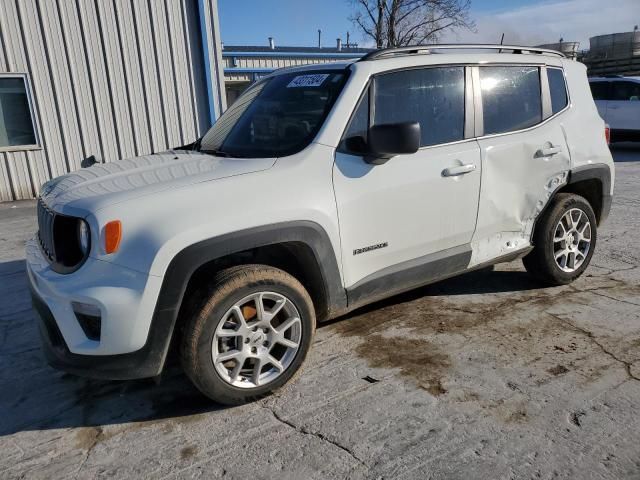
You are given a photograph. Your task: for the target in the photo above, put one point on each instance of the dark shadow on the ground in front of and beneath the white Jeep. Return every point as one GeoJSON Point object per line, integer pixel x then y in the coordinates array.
{"type": "Point", "coordinates": [34, 396]}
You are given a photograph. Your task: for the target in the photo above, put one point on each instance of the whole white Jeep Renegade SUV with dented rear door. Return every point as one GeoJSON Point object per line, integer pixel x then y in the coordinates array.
{"type": "Point", "coordinates": [321, 189]}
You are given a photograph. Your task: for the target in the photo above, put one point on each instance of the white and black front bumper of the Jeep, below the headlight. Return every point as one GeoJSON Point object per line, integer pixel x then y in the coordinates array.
{"type": "Point", "coordinates": [128, 346]}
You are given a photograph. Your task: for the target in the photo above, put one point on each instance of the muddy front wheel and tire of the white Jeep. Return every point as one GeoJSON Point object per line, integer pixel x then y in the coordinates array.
{"type": "Point", "coordinates": [225, 342]}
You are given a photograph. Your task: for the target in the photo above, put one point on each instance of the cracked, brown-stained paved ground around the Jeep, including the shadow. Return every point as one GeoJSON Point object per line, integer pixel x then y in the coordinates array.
{"type": "Point", "coordinates": [482, 376]}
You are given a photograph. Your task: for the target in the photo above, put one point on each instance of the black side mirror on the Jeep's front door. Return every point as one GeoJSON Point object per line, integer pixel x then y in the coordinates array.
{"type": "Point", "coordinates": [391, 139]}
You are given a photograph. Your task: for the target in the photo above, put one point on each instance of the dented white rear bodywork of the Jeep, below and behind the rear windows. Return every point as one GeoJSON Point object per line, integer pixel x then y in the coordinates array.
{"type": "Point", "coordinates": [521, 171]}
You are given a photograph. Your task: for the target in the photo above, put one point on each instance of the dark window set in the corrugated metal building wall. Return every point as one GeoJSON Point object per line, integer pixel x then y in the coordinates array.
{"type": "Point", "coordinates": [16, 122]}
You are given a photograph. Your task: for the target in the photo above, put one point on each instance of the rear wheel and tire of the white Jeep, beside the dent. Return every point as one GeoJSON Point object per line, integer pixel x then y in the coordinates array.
{"type": "Point", "coordinates": [541, 261]}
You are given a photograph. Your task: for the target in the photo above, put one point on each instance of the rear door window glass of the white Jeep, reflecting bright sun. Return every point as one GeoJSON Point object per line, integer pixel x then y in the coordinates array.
{"type": "Point", "coordinates": [511, 98]}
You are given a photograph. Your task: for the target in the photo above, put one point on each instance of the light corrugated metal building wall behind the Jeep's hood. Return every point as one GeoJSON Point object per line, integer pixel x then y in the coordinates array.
{"type": "Point", "coordinates": [109, 78]}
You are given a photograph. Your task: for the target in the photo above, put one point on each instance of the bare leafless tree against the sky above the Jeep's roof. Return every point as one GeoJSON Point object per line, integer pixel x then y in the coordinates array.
{"type": "Point", "coordinates": [395, 23]}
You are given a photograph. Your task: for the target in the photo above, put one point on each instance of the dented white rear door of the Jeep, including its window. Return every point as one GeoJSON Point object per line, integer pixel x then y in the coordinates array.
{"type": "Point", "coordinates": [523, 150]}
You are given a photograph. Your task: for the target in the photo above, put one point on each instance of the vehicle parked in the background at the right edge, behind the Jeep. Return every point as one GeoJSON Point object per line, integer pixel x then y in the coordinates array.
{"type": "Point", "coordinates": [618, 102]}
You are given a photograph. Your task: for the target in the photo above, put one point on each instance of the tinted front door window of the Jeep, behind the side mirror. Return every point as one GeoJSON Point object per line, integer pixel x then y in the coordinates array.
{"type": "Point", "coordinates": [434, 97]}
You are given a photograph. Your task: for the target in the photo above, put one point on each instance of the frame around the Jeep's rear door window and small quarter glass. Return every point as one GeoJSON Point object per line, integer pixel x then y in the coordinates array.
{"type": "Point", "coordinates": [547, 114]}
